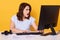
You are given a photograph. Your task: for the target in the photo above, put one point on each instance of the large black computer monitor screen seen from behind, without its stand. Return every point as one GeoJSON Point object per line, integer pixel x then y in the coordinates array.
{"type": "Point", "coordinates": [48, 16]}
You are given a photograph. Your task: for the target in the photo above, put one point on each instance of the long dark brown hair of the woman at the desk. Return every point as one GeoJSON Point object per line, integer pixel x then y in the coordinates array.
{"type": "Point", "coordinates": [20, 11]}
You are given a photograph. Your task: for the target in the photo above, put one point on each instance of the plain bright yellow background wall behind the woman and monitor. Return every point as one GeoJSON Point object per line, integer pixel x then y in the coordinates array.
{"type": "Point", "coordinates": [10, 7]}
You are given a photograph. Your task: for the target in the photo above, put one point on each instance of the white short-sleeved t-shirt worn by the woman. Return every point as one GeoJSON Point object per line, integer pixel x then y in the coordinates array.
{"type": "Point", "coordinates": [22, 25]}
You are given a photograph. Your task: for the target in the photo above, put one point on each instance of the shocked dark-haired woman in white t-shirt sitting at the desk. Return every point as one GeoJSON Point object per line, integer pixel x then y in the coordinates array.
{"type": "Point", "coordinates": [22, 21]}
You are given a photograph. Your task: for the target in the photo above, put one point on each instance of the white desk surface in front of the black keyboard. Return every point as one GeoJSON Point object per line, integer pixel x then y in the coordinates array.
{"type": "Point", "coordinates": [29, 37]}
